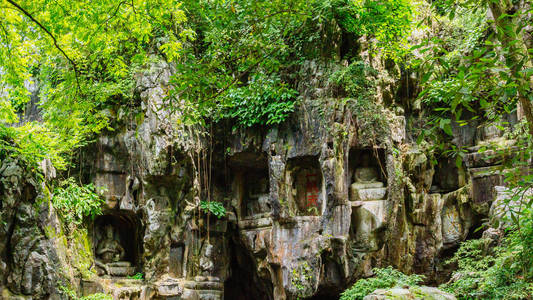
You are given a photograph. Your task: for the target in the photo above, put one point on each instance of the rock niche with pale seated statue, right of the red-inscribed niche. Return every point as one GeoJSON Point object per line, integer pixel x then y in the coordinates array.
{"type": "Point", "coordinates": [367, 182]}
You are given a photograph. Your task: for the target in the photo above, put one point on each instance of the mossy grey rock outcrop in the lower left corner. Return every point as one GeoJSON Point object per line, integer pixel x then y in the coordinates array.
{"type": "Point", "coordinates": [29, 258]}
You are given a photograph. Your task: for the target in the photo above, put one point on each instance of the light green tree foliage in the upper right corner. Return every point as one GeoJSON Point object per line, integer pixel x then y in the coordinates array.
{"type": "Point", "coordinates": [464, 75]}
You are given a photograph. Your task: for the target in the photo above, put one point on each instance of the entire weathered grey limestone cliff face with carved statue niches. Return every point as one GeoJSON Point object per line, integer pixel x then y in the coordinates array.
{"type": "Point", "coordinates": [310, 206]}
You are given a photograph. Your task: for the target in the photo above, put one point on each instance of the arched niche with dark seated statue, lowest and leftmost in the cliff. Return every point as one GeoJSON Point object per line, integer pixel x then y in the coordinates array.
{"type": "Point", "coordinates": [116, 244]}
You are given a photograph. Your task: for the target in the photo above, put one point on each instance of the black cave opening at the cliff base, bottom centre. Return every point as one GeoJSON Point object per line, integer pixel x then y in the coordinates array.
{"type": "Point", "coordinates": [243, 282]}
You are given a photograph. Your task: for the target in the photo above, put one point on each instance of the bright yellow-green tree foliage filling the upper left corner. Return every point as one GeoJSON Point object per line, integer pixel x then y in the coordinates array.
{"type": "Point", "coordinates": [83, 56]}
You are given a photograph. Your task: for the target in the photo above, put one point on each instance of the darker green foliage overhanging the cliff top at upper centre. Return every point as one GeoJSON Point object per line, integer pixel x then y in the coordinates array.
{"type": "Point", "coordinates": [243, 61]}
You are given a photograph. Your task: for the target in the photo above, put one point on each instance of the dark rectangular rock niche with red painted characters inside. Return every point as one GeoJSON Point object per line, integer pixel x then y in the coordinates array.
{"type": "Point", "coordinates": [306, 185]}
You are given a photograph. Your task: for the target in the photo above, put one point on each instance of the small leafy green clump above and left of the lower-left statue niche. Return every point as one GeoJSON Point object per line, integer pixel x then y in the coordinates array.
{"type": "Point", "coordinates": [74, 202]}
